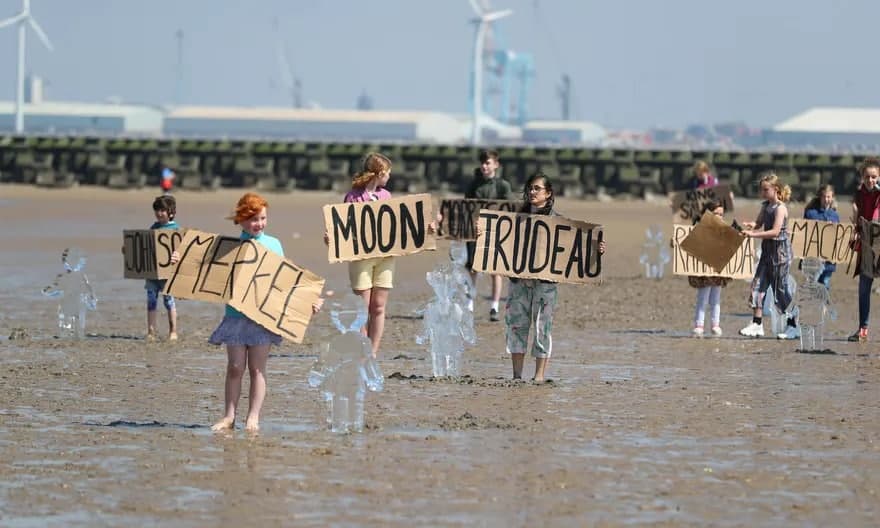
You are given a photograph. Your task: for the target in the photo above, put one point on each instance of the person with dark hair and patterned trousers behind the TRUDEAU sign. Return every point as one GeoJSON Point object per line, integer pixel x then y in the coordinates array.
{"type": "Point", "coordinates": [530, 302]}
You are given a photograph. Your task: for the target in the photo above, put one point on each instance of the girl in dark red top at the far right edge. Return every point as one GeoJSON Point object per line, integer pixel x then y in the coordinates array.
{"type": "Point", "coordinates": [866, 206]}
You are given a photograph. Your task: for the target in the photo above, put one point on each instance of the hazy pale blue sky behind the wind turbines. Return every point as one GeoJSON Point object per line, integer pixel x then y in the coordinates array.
{"type": "Point", "coordinates": [633, 63]}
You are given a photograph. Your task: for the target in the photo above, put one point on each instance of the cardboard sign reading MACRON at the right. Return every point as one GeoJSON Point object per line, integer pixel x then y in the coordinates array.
{"type": "Point", "coordinates": [823, 240]}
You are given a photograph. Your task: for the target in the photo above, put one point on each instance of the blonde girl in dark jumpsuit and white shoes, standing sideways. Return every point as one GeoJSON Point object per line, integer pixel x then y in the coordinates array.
{"type": "Point", "coordinates": [773, 267]}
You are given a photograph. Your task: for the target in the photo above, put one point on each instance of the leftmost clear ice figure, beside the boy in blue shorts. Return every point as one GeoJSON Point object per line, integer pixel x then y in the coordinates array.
{"type": "Point", "coordinates": [74, 294]}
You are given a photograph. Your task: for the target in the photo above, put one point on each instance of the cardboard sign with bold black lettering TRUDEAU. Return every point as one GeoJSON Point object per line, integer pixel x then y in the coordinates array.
{"type": "Point", "coordinates": [538, 247]}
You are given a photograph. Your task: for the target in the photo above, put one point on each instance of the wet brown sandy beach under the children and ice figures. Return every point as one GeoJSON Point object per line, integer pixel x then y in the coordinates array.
{"type": "Point", "coordinates": [641, 425]}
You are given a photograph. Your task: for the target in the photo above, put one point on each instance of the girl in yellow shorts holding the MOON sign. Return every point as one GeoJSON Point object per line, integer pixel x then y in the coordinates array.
{"type": "Point", "coordinates": [372, 279]}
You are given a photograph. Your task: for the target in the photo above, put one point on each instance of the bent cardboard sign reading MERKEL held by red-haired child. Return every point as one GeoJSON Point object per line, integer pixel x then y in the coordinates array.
{"type": "Point", "coordinates": [268, 288]}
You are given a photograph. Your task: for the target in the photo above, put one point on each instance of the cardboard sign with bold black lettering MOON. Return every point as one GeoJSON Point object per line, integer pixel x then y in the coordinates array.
{"type": "Point", "coordinates": [393, 227]}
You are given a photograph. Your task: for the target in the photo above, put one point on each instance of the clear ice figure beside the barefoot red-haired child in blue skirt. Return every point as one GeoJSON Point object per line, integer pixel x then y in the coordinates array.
{"type": "Point", "coordinates": [345, 367]}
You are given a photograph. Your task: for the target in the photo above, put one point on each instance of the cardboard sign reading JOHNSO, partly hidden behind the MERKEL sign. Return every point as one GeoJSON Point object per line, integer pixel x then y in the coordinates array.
{"type": "Point", "coordinates": [146, 253]}
